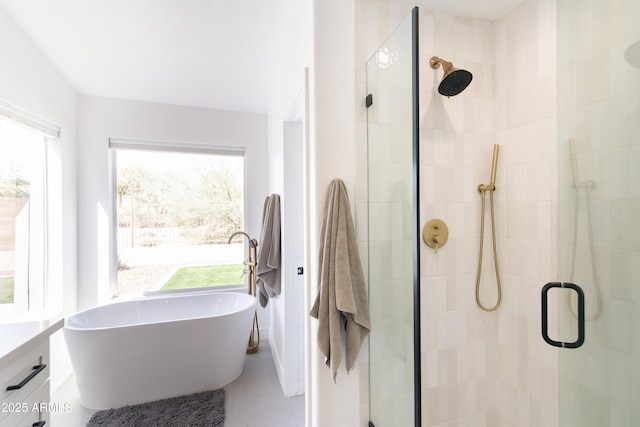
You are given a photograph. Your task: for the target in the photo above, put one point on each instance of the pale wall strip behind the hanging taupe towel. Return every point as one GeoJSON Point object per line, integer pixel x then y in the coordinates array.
{"type": "Point", "coordinates": [333, 155]}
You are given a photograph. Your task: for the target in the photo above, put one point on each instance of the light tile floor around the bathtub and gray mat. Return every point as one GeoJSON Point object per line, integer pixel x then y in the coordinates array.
{"type": "Point", "coordinates": [254, 399]}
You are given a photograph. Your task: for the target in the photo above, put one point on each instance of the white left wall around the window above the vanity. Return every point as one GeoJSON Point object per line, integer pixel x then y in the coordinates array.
{"type": "Point", "coordinates": [30, 82]}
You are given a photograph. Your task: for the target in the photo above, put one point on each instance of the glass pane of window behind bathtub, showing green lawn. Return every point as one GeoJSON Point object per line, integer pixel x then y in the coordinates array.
{"type": "Point", "coordinates": [175, 213]}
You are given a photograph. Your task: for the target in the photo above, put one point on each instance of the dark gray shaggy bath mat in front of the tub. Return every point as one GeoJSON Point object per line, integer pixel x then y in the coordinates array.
{"type": "Point", "coordinates": [204, 409]}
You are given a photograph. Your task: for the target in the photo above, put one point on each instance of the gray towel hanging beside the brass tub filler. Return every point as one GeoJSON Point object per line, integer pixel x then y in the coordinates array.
{"type": "Point", "coordinates": [268, 264]}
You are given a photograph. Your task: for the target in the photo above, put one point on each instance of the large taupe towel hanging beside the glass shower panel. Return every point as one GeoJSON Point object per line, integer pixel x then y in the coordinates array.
{"type": "Point", "coordinates": [342, 300]}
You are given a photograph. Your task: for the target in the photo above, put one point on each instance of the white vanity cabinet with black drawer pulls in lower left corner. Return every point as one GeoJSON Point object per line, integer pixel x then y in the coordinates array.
{"type": "Point", "coordinates": [24, 377]}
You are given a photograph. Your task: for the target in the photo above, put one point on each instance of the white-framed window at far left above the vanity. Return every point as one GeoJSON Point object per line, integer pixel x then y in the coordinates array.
{"type": "Point", "coordinates": [28, 180]}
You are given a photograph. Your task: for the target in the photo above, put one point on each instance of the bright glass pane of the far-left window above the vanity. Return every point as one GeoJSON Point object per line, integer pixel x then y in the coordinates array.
{"type": "Point", "coordinates": [22, 219]}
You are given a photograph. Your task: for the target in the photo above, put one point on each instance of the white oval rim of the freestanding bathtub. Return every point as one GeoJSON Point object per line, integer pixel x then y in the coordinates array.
{"type": "Point", "coordinates": [251, 303]}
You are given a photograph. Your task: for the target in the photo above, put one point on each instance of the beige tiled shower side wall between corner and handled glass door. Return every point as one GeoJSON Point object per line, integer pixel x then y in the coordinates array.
{"type": "Point", "coordinates": [525, 93]}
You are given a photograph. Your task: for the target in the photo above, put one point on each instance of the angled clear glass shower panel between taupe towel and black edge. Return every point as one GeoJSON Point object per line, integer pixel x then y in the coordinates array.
{"type": "Point", "coordinates": [392, 231]}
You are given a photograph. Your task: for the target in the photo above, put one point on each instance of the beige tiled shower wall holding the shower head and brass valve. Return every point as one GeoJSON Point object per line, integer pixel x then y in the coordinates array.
{"type": "Point", "coordinates": [460, 355]}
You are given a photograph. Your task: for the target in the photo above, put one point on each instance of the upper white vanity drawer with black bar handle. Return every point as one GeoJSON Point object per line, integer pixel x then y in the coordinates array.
{"type": "Point", "coordinates": [17, 371]}
